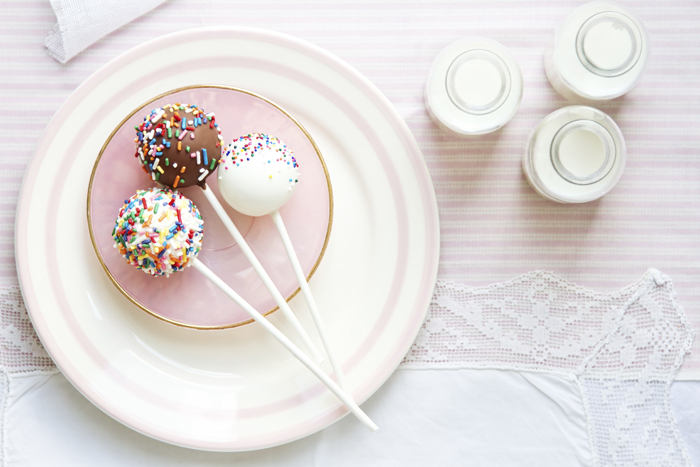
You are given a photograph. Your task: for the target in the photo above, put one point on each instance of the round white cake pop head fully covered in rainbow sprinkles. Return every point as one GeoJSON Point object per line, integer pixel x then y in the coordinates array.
{"type": "Point", "coordinates": [158, 231]}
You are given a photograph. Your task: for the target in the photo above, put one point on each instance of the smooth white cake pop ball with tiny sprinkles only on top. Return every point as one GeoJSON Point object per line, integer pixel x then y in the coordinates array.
{"type": "Point", "coordinates": [257, 174]}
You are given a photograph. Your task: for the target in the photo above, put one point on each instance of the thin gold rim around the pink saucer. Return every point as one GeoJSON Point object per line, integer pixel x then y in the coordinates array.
{"type": "Point", "coordinates": [140, 108]}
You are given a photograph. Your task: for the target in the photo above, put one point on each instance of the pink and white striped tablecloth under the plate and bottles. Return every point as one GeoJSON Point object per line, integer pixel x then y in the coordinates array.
{"type": "Point", "coordinates": [494, 226]}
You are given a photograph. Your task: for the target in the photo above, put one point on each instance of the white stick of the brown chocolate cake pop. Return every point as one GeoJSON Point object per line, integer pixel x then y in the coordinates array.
{"type": "Point", "coordinates": [284, 306]}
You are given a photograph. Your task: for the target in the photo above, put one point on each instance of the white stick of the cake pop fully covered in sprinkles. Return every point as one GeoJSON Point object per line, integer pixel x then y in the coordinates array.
{"type": "Point", "coordinates": [260, 319]}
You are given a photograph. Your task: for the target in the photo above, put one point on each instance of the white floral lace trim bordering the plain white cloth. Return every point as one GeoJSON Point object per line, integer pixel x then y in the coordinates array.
{"type": "Point", "coordinates": [623, 349]}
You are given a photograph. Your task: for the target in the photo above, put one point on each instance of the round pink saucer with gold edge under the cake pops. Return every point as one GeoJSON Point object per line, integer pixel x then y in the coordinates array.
{"type": "Point", "coordinates": [187, 298]}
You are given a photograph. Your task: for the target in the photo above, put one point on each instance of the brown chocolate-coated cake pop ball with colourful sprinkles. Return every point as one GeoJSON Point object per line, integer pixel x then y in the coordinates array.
{"type": "Point", "coordinates": [163, 140]}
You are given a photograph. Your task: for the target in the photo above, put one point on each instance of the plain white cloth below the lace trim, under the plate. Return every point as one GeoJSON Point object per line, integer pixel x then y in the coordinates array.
{"type": "Point", "coordinates": [427, 417]}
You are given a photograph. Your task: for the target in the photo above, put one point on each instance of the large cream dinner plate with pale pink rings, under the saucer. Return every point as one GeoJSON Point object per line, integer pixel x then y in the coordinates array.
{"type": "Point", "coordinates": [235, 389]}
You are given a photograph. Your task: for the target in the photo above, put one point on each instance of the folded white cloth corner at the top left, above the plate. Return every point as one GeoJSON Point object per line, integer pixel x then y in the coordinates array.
{"type": "Point", "coordinates": [83, 22]}
